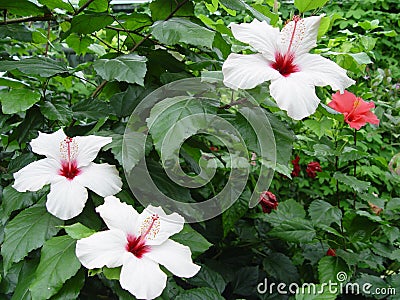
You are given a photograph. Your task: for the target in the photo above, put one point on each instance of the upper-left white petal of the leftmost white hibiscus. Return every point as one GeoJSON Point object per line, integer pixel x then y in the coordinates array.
{"type": "Point", "coordinates": [48, 144]}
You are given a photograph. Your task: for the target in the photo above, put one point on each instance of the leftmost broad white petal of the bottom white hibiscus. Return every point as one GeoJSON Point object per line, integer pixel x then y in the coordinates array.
{"type": "Point", "coordinates": [101, 249]}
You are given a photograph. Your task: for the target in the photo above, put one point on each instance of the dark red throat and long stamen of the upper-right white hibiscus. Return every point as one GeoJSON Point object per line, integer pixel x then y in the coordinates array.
{"type": "Point", "coordinates": [284, 64]}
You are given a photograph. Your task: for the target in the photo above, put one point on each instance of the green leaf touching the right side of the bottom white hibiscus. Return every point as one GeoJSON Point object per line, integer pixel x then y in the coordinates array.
{"type": "Point", "coordinates": [190, 237]}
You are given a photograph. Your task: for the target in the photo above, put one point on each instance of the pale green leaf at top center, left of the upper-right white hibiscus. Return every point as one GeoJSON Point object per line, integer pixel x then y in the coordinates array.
{"type": "Point", "coordinates": [178, 30]}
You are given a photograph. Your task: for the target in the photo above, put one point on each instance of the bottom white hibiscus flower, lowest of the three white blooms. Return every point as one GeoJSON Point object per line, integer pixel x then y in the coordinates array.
{"type": "Point", "coordinates": [138, 243]}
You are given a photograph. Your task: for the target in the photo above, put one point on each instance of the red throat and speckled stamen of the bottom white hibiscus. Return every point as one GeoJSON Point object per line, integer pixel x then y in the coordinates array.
{"type": "Point", "coordinates": [137, 245]}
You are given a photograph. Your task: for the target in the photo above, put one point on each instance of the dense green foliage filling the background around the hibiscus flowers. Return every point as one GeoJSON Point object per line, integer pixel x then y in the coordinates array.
{"type": "Point", "coordinates": [85, 65]}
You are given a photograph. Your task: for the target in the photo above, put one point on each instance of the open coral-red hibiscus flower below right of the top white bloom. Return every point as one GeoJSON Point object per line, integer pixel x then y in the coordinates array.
{"type": "Point", "coordinates": [356, 111]}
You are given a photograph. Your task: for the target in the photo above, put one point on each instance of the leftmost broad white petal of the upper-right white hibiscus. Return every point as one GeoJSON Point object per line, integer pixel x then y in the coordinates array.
{"type": "Point", "coordinates": [247, 71]}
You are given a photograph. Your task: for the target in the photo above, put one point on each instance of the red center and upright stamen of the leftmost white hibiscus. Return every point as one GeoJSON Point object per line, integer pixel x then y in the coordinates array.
{"type": "Point", "coordinates": [68, 151]}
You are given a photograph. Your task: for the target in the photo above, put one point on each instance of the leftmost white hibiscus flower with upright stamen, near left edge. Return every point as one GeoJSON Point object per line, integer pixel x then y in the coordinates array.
{"type": "Point", "coordinates": [69, 170]}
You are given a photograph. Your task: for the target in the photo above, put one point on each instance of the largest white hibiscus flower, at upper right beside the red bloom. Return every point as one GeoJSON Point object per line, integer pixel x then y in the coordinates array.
{"type": "Point", "coordinates": [284, 60]}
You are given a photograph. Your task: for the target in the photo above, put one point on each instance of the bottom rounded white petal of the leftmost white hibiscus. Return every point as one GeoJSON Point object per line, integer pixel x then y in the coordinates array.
{"type": "Point", "coordinates": [66, 198]}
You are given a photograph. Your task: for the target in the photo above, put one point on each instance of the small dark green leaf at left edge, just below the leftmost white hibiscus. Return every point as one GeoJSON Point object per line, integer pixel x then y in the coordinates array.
{"type": "Point", "coordinates": [13, 200]}
